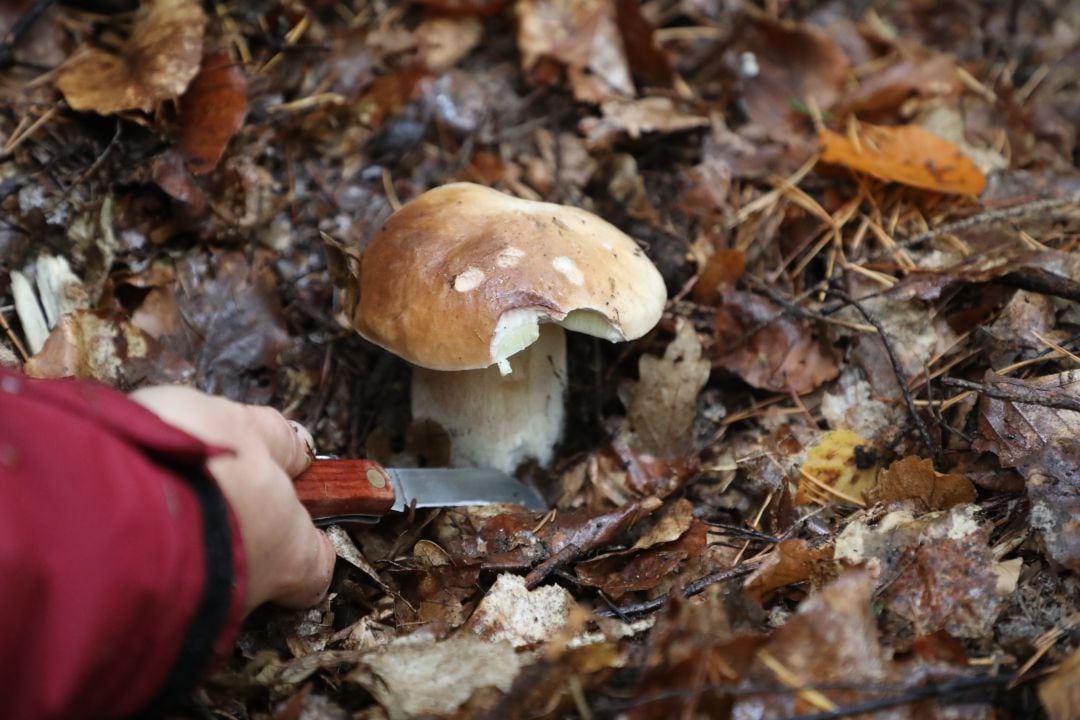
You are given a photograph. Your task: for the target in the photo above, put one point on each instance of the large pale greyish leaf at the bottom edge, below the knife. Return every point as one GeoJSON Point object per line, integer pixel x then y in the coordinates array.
{"type": "Point", "coordinates": [418, 676]}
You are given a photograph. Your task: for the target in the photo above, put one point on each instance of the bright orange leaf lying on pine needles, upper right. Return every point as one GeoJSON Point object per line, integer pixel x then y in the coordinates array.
{"type": "Point", "coordinates": [906, 154]}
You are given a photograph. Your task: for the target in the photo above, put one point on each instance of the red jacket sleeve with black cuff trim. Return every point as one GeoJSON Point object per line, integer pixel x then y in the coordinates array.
{"type": "Point", "coordinates": [123, 574]}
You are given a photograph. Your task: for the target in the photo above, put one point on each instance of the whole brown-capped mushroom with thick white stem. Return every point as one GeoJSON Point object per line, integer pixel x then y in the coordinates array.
{"type": "Point", "coordinates": [475, 289]}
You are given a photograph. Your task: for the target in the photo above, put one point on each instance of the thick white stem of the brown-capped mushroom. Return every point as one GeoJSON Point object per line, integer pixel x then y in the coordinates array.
{"type": "Point", "coordinates": [498, 420]}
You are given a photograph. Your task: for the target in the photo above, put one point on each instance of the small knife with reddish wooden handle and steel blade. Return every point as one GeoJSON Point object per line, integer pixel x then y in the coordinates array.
{"type": "Point", "coordinates": [356, 491]}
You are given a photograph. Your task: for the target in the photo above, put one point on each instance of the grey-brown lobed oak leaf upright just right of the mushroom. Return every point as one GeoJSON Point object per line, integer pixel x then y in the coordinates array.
{"type": "Point", "coordinates": [665, 404]}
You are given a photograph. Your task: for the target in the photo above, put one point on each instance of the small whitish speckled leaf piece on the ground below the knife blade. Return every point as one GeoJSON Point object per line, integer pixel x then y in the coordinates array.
{"type": "Point", "coordinates": [510, 613]}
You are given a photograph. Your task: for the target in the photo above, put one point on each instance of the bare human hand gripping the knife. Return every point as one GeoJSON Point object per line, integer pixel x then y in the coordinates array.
{"type": "Point", "coordinates": [290, 562]}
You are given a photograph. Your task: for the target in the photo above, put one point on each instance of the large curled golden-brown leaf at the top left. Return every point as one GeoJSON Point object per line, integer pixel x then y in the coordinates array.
{"type": "Point", "coordinates": [156, 64]}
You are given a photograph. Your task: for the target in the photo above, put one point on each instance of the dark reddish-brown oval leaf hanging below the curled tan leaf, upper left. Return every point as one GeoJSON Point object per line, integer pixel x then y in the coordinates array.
{"type": "Point", "coordinates": [212, 112]}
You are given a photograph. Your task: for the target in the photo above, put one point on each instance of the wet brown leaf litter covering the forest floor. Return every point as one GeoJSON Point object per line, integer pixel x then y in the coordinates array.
{"type": "Point", "coordinates": [842, 477]}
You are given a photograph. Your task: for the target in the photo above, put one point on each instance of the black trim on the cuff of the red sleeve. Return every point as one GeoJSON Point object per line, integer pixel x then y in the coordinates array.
{"type": "Point", "coordinates": [213, 612]}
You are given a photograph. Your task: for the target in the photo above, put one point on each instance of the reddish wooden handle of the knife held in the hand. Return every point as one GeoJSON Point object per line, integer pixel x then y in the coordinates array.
{"type": "Point", "coordinates": [345, 487]}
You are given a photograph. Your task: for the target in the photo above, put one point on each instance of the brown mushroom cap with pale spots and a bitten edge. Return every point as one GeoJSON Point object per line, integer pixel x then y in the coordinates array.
{"type": "Point", "coordinates": [460, 279]}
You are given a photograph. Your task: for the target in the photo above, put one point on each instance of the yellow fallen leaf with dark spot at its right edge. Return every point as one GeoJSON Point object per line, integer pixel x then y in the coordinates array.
{"type": "Point", "coordinates": [833, 470]}
